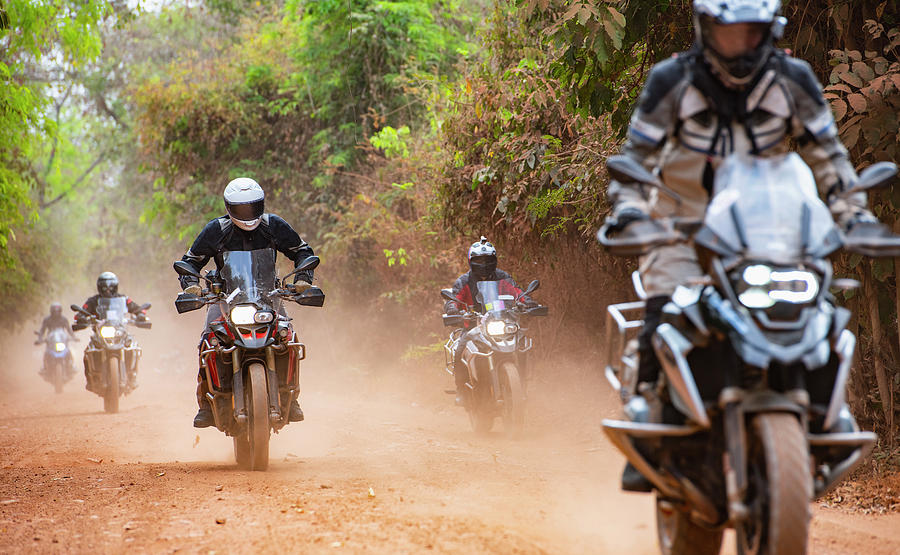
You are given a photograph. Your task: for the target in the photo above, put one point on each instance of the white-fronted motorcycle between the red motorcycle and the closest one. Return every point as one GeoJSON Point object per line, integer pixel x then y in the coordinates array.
{"type": "Point", "coordinates": [494, 355]}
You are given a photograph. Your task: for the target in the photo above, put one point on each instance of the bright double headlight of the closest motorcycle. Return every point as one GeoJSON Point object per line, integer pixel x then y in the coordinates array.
{"type": "Point", "coordinates": [761, 287]}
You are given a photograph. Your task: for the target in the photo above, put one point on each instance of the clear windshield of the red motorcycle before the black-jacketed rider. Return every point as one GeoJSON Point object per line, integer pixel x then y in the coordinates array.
{"type": "Point", "coordinates": [249, 276]}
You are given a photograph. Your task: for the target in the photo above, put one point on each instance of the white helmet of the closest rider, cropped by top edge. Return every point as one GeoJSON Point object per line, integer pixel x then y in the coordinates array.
{"type": "Point", "coordinates": [738, 52]}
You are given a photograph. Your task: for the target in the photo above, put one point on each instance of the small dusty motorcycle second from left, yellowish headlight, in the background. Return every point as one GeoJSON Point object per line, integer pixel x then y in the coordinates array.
{"type": "Point", "coordinates": [112, 355]}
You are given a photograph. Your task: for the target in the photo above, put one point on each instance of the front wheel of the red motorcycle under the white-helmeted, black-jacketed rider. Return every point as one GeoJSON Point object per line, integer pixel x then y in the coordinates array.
{"type": "Point", "coordinates": [251, 447]}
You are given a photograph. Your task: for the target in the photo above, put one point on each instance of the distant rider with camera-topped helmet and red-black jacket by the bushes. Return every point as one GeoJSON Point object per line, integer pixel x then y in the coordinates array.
{"type": "Point", "coordinates": [482, 258]}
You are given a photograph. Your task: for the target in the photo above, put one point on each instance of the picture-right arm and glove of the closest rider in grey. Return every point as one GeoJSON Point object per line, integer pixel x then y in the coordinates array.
{"type": "Point", "coordinates": [820, 147]}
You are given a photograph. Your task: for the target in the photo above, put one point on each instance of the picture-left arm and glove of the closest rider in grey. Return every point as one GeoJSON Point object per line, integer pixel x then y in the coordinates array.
{"type": "Point", "coordinates": [653, 122]}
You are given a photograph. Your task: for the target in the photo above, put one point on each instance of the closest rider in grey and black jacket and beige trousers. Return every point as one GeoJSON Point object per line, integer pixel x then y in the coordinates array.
{"type": "Point", "coordinates": [733, 91]}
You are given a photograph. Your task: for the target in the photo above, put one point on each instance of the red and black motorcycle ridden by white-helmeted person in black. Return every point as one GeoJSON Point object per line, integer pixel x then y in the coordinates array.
{"type": "Point", "coordinates": [251, 355]}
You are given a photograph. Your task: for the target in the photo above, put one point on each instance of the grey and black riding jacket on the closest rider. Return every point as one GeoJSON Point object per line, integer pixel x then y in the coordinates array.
{"type": "Point", "coordinates": [686, 122]}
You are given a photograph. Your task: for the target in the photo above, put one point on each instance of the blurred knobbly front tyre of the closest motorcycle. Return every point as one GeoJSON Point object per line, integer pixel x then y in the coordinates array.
{"type": "Point", "coordinates": [779, 488]}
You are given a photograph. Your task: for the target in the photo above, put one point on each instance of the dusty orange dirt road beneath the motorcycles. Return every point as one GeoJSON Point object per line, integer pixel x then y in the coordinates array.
{"type": "Point", "coordinates": [377, 467]}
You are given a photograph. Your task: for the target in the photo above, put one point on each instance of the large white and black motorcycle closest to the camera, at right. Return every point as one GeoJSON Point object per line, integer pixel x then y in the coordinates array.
{"type": "Point", "coordinates": [747, 423]}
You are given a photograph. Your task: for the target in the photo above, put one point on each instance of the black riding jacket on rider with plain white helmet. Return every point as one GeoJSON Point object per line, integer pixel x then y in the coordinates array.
{"type": "Point", "coordinates": [221, 235]}
